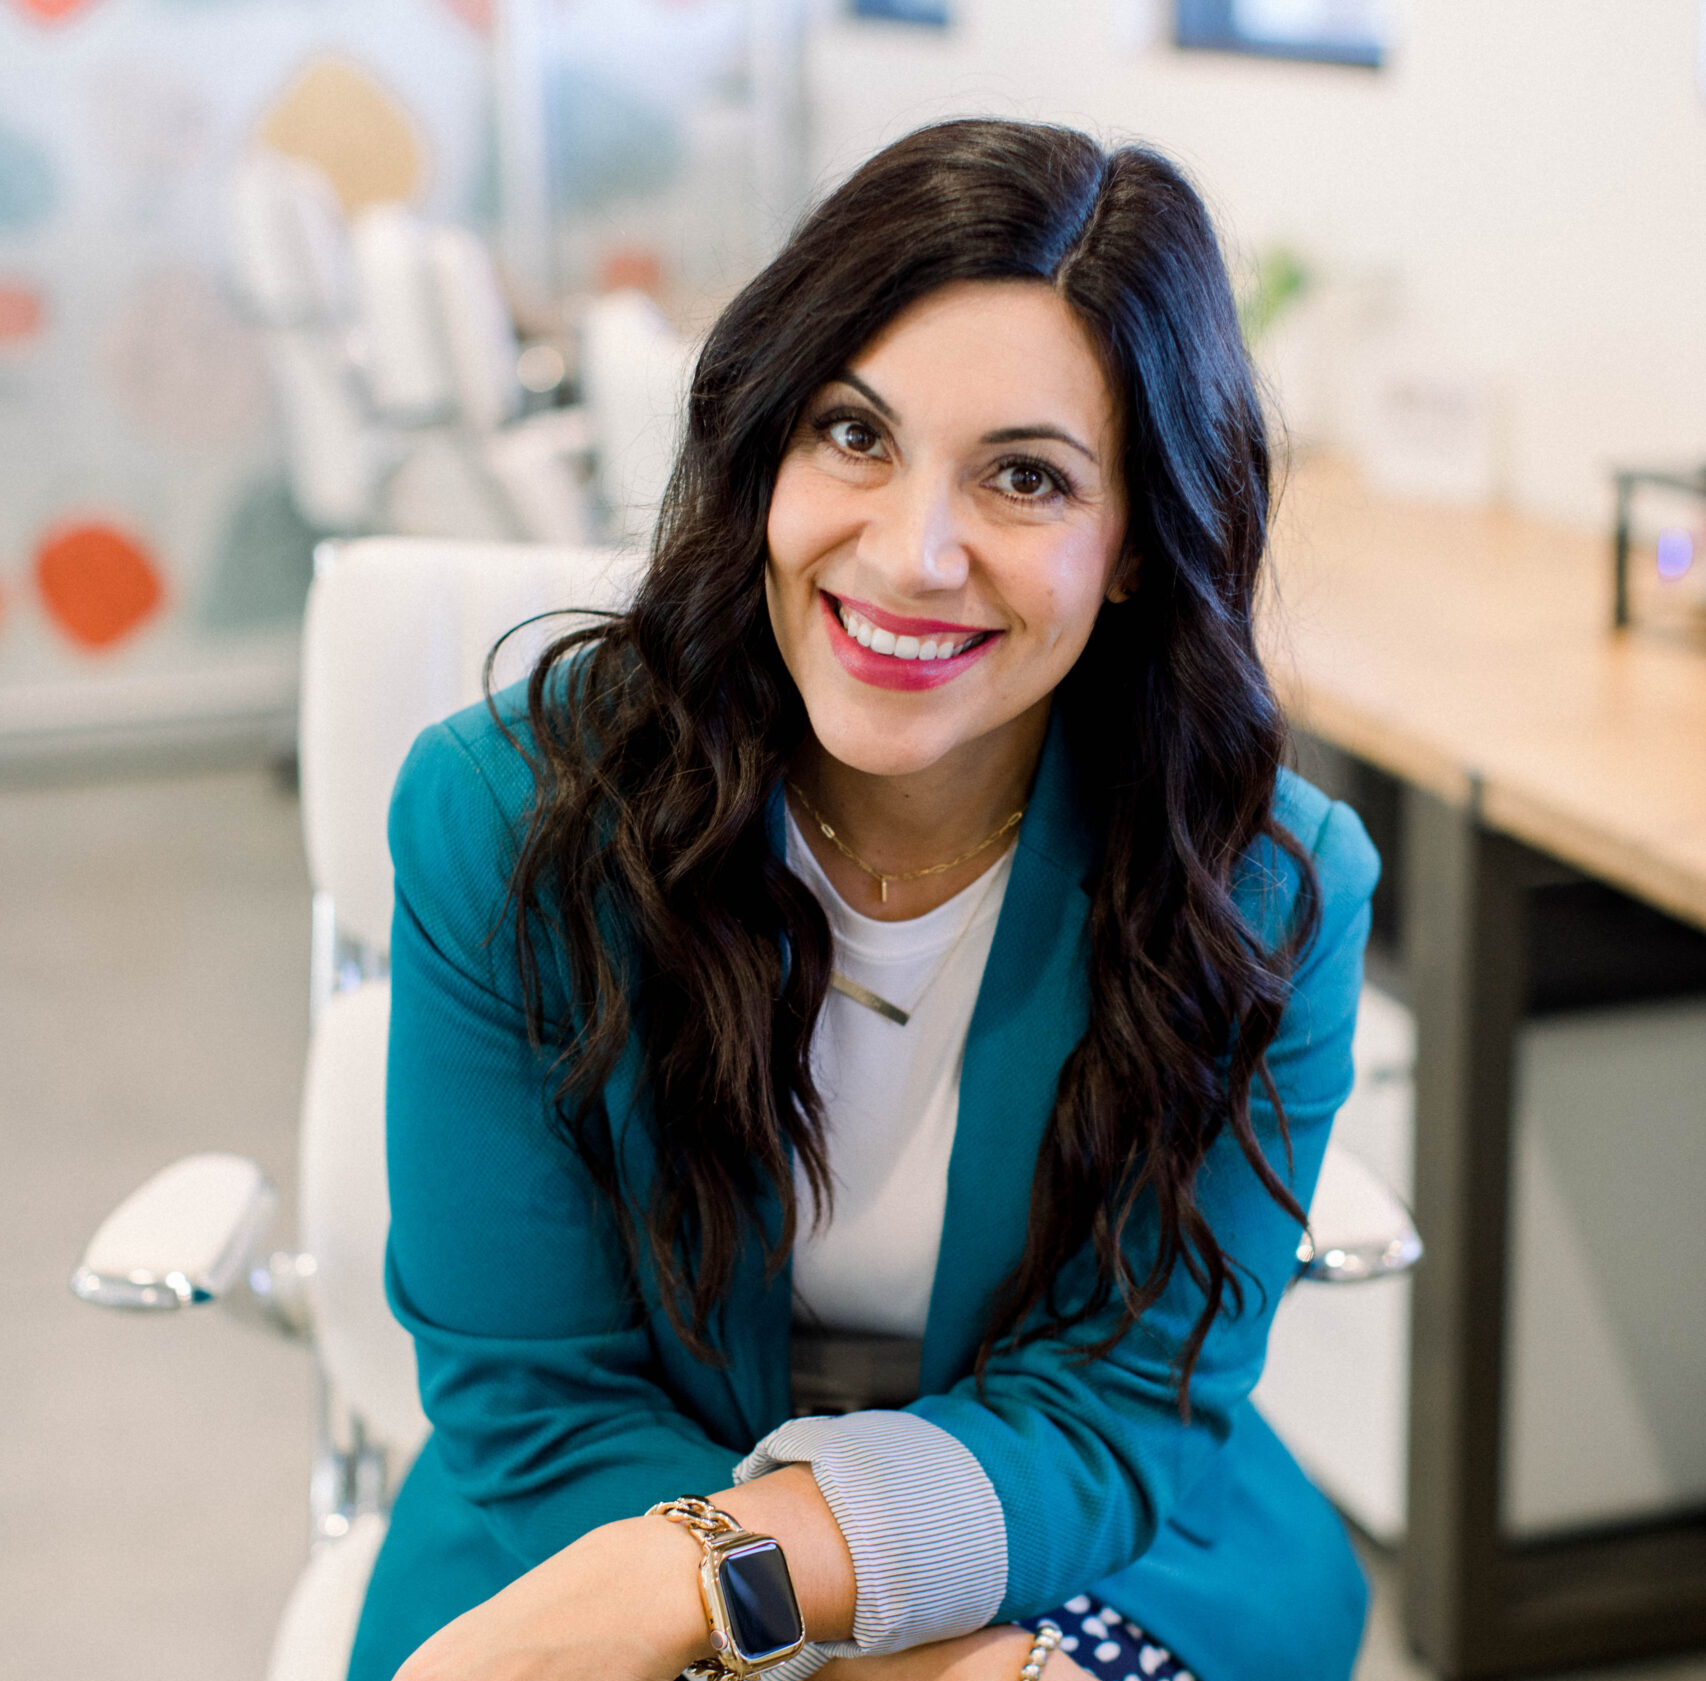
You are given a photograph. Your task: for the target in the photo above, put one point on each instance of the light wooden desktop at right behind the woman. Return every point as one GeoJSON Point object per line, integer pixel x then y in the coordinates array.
{"type": "Point", "coordinates": [1470, 651]}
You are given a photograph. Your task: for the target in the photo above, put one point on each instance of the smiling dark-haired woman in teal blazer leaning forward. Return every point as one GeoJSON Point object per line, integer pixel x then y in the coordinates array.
{"type": "Point", "coordinates": [898, 922]}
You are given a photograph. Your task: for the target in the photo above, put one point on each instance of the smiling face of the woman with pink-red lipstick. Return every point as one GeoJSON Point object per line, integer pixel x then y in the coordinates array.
{"type": "Point", "coordinates": [946, 528]}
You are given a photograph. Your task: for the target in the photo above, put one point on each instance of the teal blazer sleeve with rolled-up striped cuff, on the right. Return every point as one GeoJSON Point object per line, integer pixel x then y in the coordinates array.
{"type": "Point", "coordinates": [1088, 1460]}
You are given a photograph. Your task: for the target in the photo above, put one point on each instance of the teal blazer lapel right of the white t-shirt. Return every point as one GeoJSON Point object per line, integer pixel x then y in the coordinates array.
{"type": "Point", "coordinates": [1031, 1013]}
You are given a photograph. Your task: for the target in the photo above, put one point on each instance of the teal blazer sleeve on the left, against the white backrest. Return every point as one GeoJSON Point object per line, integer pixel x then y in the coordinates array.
{"type": "Point", "coordinates": [537, 1370]}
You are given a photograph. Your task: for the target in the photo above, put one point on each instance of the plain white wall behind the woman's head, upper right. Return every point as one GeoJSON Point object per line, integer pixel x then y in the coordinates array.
{"type": "Point", "coordinates": [1519, 199]}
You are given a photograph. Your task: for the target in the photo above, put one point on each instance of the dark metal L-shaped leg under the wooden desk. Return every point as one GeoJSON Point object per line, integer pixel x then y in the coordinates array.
{"type": "Point", "coordinates": [1480, 1607]}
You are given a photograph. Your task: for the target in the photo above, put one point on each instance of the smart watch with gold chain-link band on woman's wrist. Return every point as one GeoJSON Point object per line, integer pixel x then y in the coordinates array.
{"type": "Point", "coordinates": [746, 1588]}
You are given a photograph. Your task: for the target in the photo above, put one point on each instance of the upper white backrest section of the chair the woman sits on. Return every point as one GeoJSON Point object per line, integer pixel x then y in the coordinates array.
{"type": "Point", "coordinates": [397, 637]}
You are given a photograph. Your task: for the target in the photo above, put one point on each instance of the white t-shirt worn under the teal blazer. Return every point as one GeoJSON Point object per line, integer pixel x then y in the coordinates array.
{"type": "Point", "coordinates": [891, 1098]}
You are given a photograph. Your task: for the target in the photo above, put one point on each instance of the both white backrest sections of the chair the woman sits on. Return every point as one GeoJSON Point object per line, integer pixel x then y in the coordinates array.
{"type": "Point", "coordinates": [397, 637]}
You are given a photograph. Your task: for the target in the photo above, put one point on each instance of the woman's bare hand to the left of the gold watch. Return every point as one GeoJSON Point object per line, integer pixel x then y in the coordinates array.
{"type": "Point", "coordinates": [622, 1603]}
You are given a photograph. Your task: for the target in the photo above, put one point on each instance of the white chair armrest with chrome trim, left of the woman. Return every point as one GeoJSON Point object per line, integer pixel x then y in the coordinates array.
{"type": "Point", "coordinates": [192, 1235]}
